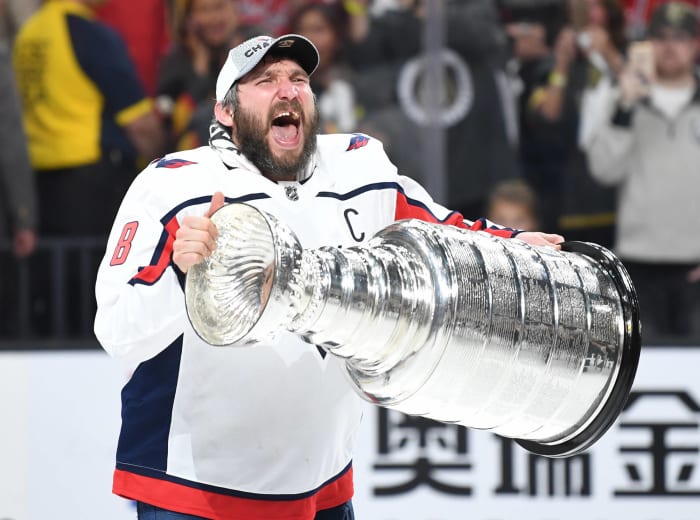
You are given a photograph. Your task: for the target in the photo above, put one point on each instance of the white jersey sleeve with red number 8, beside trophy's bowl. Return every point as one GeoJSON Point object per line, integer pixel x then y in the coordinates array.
{"type": "Point", "coordinates": [140, 301]}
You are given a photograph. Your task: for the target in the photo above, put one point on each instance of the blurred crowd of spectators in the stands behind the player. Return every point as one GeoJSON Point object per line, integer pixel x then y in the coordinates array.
{"type": "Point", "coordinates": [550, 122]}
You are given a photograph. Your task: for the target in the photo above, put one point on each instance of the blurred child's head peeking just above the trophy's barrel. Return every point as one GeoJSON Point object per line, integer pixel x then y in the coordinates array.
{"type": "Point", "coordinates": [513, 204]}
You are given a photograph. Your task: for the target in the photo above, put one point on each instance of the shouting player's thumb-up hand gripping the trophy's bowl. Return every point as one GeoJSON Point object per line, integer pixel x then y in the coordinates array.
{"type": "Point", "coordinates": [195, 240]}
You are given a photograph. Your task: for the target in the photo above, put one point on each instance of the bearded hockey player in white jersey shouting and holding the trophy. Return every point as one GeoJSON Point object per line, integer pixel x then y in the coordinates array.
{"type": "Point", "coordinates": [263, 432]}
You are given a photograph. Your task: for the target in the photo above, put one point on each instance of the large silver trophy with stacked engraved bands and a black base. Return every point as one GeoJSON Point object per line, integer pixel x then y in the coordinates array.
{"type": "Point", "coordinates": [531, 343]}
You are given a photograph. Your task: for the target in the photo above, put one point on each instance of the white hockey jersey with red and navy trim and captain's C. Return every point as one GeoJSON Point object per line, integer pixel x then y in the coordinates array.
{"type": "Point", "coordinates": [239, 432]}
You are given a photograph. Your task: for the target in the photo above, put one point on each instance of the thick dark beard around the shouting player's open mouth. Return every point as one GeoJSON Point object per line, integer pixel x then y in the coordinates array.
{"type": "Point", "coordinates": [251, 134]}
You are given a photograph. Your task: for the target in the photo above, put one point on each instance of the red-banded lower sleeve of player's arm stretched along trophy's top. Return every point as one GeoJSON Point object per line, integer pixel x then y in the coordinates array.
{"type": "Point", "coordinates": [413, 201]}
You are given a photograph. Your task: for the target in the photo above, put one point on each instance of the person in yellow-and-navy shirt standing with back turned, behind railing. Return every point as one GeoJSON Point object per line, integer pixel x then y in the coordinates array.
{"type": "Point", "coordinates": [88, 123]}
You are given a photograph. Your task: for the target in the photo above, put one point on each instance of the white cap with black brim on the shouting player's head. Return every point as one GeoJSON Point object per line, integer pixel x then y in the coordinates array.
{"type": "Point", "coordinates": [243, 58]}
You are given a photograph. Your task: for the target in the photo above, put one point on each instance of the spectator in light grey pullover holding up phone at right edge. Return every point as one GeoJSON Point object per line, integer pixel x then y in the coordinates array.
{"type": "Point", "coordinates": [648, 149]}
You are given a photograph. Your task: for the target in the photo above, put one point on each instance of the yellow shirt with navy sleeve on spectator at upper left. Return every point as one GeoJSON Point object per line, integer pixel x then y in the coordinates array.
{"type": "Point", "coordinates": [78, 87]}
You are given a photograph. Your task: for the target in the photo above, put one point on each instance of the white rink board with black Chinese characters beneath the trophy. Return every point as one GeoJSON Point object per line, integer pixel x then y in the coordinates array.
{"type": "Point", "coordinates": [645, 467]}
